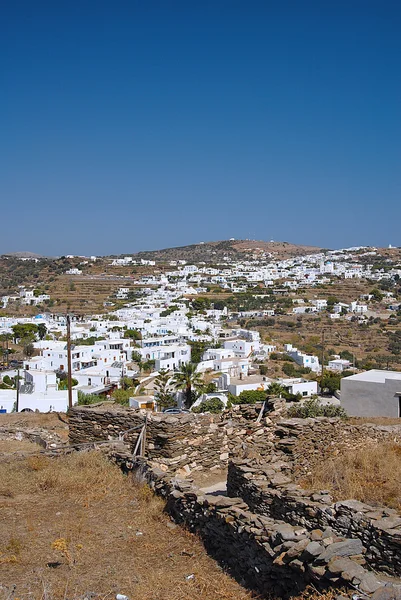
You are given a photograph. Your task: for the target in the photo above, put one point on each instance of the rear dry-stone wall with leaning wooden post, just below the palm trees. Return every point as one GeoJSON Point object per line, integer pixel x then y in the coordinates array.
{"type": "Point", "coordinates": [183, 443]}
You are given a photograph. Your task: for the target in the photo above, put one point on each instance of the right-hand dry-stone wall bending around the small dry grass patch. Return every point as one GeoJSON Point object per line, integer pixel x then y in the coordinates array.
{"type": "Point", "coordinates": [267, 485]}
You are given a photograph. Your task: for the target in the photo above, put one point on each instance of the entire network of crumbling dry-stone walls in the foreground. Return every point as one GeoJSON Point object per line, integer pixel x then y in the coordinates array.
{"type": "Point", "coordinates": [272, 535]}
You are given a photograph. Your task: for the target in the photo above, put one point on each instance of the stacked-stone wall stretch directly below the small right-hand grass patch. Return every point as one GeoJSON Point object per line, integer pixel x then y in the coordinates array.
{"type": "Point", "coordinates": [268, 490]}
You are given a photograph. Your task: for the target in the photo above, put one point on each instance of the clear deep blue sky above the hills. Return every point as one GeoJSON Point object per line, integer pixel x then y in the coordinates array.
{"type": "Point", "coordinates": [132, 125]}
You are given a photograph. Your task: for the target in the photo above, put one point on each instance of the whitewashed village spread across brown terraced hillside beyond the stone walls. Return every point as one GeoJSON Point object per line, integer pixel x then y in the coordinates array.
{"type": "Point", "coordinates": [181, 335]}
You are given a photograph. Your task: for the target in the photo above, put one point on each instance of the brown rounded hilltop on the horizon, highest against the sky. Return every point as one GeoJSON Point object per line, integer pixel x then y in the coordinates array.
{"type": "Point", "coordinates": [211, 252]}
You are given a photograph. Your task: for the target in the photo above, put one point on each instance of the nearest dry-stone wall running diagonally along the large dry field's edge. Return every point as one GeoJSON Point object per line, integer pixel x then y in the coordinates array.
{"type": "Point", "coordinates": [272, 557]}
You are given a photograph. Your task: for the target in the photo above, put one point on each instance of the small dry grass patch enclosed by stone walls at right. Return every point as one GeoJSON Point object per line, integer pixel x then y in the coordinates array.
{"type": "Point", "coordinates": [371, 474]}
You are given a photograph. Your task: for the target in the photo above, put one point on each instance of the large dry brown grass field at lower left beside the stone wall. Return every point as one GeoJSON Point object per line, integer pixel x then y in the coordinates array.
{"type": "Point", "coordinates": [75, 524]}
